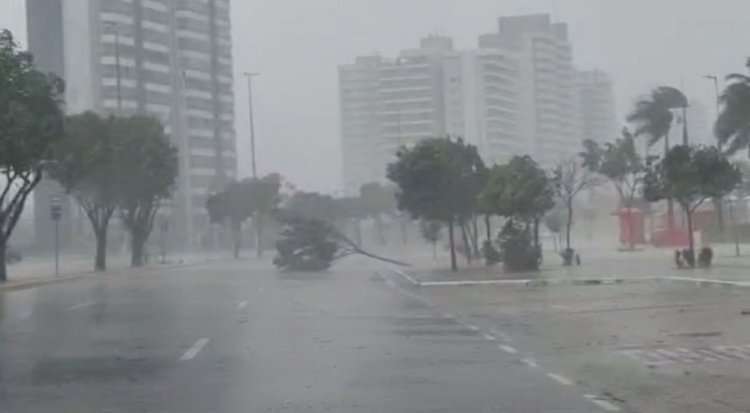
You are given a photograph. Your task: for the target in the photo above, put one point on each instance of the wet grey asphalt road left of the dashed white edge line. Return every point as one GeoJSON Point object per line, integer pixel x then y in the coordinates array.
{"type": "Point", "coordinates": [231, 338]}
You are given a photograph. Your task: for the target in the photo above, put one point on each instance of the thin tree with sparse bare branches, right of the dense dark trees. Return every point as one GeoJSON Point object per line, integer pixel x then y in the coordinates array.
{"type": "Point", "coordinates": [570, 179]}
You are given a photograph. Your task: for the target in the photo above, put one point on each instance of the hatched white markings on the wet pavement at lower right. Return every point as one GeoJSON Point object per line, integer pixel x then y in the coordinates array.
{"type": "Point", "coordinates": [676, 355]}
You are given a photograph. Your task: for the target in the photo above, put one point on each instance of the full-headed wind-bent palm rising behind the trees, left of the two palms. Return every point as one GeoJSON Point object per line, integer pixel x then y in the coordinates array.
{"type": "Point", "coordinates": [653, 117]}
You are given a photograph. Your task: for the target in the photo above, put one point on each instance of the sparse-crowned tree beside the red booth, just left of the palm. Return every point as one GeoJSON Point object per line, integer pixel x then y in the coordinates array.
{"type": "Point", "coordinates": [621, 164]}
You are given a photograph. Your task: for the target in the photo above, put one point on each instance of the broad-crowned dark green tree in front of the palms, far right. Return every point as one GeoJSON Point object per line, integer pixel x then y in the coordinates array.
{"type": "Point", "coordinates": [690, 176]}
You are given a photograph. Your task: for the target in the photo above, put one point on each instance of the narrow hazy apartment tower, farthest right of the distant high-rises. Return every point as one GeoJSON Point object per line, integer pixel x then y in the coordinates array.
{"type": "Point", "coordinates": [597, 104]}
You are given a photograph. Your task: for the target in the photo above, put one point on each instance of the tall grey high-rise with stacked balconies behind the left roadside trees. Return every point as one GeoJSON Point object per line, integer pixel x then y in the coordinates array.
{"type": "Point", "coordinates": [170, 59]}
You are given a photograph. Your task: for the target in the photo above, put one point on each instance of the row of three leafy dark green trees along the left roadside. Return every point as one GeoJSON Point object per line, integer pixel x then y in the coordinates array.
{"type": "Point", "coordinates": [115, 165]}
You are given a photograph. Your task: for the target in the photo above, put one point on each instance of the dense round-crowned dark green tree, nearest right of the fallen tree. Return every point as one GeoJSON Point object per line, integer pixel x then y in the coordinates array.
{"type": "Point", "coordinates": [436, 180]}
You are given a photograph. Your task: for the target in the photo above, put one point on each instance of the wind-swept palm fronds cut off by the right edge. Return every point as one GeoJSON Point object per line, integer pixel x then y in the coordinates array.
{"type": "Point", "coordinates": [733, 125]}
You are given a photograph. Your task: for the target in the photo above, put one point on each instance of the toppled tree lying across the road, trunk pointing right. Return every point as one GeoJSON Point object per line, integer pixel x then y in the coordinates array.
{"type": "Point", "coordinates": [309, 244]}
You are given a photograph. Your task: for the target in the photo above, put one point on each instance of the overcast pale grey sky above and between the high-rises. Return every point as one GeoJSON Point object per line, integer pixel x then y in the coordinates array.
{"type": "Point", "coordinates": [297, 45]}
